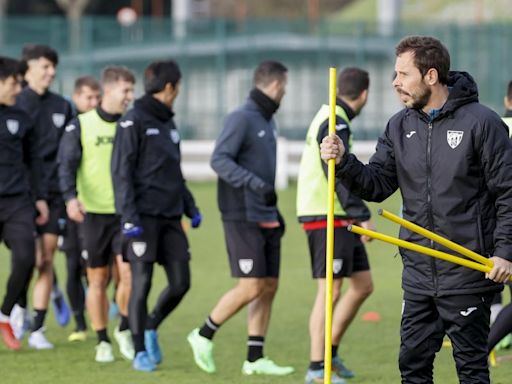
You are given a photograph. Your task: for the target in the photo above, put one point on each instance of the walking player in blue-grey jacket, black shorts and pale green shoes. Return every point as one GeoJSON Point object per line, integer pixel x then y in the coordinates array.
{"type": "Point", "coordinates": [245, 160]}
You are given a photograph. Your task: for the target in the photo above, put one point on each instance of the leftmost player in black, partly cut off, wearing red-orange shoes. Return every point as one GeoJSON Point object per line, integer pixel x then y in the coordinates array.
{"type": "Point", "coordinates": [19, 152]}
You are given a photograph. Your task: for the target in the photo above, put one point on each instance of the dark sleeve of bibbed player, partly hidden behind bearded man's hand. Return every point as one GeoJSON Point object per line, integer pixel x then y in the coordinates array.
{"type": "Point", "coordinates": [354, 207]}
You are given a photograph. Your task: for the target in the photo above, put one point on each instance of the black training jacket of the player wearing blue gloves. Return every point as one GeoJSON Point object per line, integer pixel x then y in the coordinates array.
{"type": "Point", "coordinates": [146, 164]}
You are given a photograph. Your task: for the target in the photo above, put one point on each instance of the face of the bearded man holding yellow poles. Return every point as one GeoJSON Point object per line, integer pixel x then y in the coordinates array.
{"type": "Point", "coordinates": [409, 83]}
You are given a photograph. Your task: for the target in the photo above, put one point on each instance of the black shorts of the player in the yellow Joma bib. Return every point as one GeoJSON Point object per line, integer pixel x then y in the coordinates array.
{"type": "Point", "coordinates": [100, 235]}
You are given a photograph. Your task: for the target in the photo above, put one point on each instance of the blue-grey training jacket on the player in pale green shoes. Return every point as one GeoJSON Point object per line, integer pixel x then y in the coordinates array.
{"type": "Point", "coordinates": [244, 158]}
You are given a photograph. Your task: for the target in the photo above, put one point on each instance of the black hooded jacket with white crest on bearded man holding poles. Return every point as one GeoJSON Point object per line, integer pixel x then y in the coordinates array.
{"type": "Point", "coordinates": [455, 177]}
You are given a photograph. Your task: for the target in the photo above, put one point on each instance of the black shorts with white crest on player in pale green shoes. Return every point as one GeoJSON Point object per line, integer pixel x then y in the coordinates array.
{"type": "Point", "coordinates": [253, 251]}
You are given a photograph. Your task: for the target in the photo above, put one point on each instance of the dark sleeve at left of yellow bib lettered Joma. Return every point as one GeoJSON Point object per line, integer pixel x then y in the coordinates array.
{"type": "Point", "coordinates": [68, 159]}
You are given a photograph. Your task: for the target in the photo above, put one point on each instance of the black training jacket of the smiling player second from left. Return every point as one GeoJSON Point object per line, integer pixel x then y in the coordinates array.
{"type": "Point", "coordinates": [50, 113]}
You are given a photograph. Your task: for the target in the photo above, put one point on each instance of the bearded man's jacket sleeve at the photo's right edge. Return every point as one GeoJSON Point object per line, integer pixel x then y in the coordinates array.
{"type": "Point", "coordinates": [496, 157]}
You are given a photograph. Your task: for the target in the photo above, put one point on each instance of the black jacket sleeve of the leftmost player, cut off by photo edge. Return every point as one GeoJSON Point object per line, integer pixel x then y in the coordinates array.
{"type": "Point", "coordinates": [34, 161]}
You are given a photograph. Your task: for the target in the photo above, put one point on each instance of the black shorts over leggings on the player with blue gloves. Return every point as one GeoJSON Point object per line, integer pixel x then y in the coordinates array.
{"type": "Point", "coordinates": [163, 240]}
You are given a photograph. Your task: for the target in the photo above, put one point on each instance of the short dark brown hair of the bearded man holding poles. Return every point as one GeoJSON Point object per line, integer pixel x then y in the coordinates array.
{"type": "Point", "coordinates": [428, 53]}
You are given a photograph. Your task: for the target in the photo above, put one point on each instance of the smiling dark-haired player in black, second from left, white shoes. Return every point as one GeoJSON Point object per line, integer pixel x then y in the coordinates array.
{"type": "Point", "coordinates": [50, 113]}
